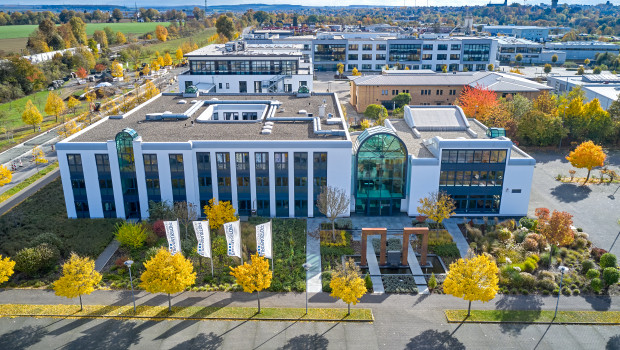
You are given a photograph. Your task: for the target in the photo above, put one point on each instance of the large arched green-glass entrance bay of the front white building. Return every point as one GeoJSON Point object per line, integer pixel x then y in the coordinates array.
{"type": "Point", "coordinates": [381, 173]}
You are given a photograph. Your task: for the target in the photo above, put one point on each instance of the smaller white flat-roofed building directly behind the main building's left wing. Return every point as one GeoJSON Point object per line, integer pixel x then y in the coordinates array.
{"type": "Point", "coordinates": [237, 67]}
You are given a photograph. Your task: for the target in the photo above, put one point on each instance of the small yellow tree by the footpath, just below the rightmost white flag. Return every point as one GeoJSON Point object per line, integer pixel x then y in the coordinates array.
{"type": "Point", "coordinates": [253, 277]}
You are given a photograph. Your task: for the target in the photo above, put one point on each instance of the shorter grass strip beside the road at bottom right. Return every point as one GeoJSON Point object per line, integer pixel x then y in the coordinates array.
{"type": "Point", "coordinates": [534, 316]}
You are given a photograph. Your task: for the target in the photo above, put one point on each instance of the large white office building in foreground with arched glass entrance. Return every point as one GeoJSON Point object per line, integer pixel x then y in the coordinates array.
{"type": "Point", "coordinates": [270, 155]}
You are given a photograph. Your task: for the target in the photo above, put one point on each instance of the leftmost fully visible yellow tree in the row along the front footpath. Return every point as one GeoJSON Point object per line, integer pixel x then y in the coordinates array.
{"type": "Point", "coordinates": [79, 277]}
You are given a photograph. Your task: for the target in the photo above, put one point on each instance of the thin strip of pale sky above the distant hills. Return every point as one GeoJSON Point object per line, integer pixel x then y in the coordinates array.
{"type": "Point", "coordinates": [306, 3]}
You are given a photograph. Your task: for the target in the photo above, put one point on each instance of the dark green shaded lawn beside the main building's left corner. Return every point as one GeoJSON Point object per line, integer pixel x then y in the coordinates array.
{"type": "Point", "coordinates": [45, 212]}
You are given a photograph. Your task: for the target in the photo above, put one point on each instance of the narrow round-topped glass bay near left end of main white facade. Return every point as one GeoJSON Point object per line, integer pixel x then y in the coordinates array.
{"type": "Point", "coordinates": [127, 166]}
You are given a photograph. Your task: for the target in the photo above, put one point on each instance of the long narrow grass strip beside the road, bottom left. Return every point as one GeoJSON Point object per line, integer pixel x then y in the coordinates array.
{"type": "Point", "coordinates": [158, 313]}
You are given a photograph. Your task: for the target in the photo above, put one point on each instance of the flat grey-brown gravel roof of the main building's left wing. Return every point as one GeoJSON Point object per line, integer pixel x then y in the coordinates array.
{"type": "Point", "coordinates": [183, 131]}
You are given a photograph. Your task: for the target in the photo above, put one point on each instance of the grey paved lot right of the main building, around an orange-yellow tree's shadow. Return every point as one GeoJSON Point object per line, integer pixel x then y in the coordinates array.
{"type": "Point", "coordinates": [596, 208]}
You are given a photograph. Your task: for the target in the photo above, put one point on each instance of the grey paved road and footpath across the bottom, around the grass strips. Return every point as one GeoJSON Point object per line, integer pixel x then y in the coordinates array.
{"type": "Point", "coordinates": [401, 322]}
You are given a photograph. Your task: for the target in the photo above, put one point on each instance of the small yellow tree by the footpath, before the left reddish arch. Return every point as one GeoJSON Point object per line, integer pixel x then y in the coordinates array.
{"type": "Point", "coordinates": [347, 284]}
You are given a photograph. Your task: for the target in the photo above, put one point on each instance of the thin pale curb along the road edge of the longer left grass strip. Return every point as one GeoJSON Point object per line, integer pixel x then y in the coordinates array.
{"type": "Point", "coordinates": [163, 318]}
